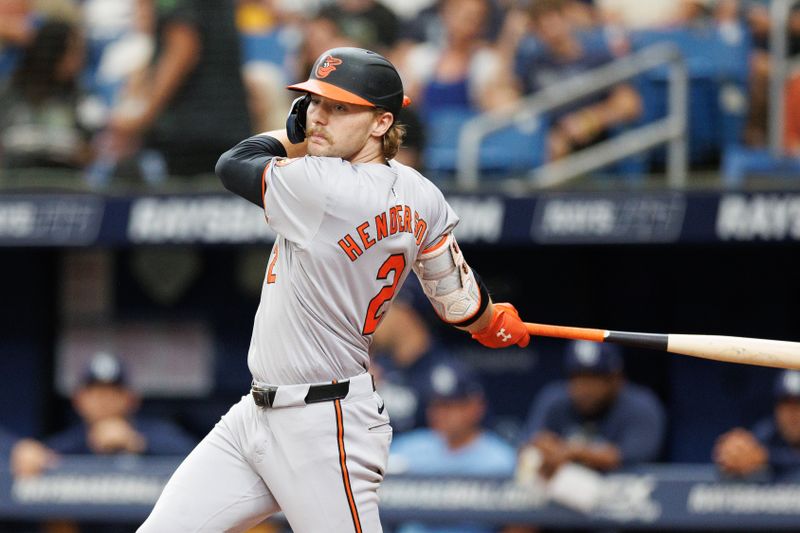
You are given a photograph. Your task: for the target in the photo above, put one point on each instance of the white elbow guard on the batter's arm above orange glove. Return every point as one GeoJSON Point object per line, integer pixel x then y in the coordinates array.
{"type": "Point", "coordinates": [456, 292]}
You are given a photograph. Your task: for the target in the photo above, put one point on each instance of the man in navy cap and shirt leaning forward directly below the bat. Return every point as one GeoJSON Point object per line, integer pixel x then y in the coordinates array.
{"type": "Point", "coordinates": [596, 418]}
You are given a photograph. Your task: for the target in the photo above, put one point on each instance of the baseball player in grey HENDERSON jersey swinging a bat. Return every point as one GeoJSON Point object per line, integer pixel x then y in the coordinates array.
{"type": "Point", "coordinates": [312, 437]}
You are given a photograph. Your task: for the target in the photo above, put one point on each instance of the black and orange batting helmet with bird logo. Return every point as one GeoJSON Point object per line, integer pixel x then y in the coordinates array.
{"type": "Point", "coordinates": [356, 76]}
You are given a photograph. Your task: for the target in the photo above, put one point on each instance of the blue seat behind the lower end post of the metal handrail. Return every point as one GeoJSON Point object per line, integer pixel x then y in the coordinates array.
{"type": "Point", "coordinates": [513, 150]}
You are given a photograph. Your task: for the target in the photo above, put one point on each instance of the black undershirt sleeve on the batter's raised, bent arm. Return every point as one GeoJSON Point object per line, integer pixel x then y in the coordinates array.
{"type": "Point", "coordinates": [241, 168]}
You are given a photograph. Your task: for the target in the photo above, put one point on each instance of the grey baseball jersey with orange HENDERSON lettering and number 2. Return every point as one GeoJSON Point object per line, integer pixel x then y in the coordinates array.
{"type": "Point", "coordinates": [348, 235]}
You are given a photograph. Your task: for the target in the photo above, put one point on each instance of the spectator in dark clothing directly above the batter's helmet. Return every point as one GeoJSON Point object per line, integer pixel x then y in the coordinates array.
{"type": "Point", "coordinates": [367, 23]}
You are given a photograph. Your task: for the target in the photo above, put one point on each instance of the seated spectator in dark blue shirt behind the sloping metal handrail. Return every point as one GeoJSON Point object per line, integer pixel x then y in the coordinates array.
{"type": "Point", "coordinates": [555, 52]}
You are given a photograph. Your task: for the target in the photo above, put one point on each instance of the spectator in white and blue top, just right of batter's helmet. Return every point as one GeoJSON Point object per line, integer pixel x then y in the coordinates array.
{"type": "Point", "coordinates": [462, 72]}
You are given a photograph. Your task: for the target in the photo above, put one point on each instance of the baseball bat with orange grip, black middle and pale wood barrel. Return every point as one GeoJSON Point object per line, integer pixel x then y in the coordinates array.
{"type": "Point", "coordinates": [742, 350]}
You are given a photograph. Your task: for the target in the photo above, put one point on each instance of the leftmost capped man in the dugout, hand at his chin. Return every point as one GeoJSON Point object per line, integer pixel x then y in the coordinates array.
{"type": "Point", "coordinates": [107, 407]}
